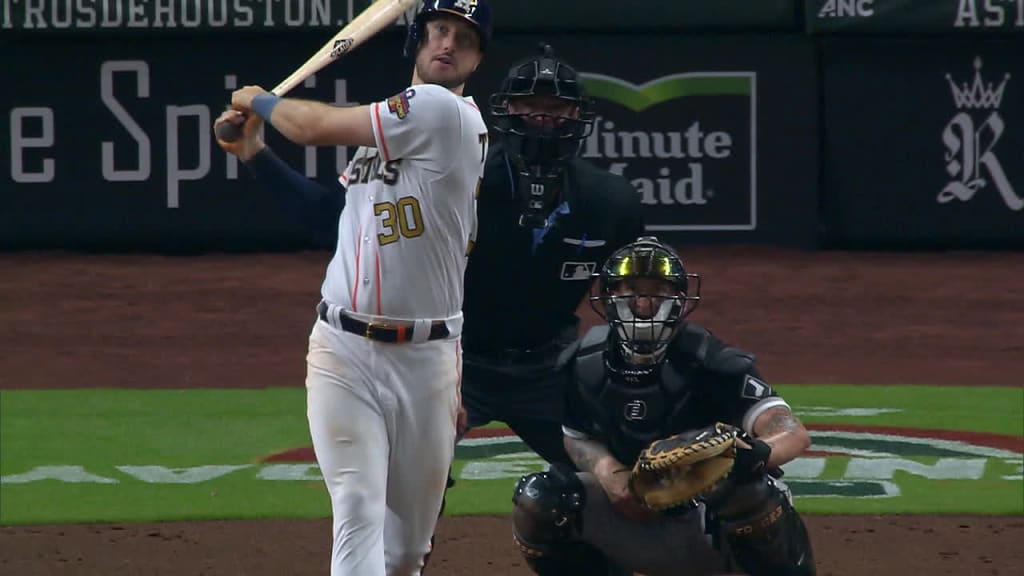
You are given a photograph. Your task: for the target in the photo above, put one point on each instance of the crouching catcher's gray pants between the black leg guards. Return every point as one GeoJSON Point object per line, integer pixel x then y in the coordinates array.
{"type": "Point", "coordinates": [662, 546]}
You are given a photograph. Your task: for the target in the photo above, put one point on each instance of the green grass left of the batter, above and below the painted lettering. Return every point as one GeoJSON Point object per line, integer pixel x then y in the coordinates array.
{"type": "Point", "coordinates": [104, 429]}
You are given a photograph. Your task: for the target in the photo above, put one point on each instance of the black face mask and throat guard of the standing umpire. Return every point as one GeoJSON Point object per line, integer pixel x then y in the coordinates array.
{"type": "Point", "coordinates": [540, 144]}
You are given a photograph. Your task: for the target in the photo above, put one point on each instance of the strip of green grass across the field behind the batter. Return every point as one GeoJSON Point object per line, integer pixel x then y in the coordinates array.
{"type": "Point", "coordinates": [104, 432]}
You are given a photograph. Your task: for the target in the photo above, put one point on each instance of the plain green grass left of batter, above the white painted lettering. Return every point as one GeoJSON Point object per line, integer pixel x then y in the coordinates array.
{"type": "Point", "coordinates": [172, 428]}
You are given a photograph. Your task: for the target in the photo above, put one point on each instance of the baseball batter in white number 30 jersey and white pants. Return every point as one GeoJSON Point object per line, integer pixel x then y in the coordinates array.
{"type": "Point", "coordinates": [385, 364]}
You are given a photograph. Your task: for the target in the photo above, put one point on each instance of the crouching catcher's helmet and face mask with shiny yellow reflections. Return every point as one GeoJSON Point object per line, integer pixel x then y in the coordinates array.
{"type": "Point", "coordinates": [645, 295]}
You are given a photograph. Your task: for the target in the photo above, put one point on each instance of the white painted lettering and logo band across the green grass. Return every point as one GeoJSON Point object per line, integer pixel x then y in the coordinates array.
{"type": "Point", "coordinates": [845, 462]}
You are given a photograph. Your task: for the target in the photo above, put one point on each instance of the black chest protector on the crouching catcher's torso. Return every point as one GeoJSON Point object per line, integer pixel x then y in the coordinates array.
{"type": "Point", "coordinates": [633, 410]}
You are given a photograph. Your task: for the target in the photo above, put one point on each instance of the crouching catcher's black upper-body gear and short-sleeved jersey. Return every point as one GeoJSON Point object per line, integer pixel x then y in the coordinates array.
{"type": "Point", "coordinates": [703, 382]}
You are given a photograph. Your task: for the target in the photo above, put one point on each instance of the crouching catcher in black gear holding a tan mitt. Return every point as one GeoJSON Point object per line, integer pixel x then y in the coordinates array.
{"type": "Point", "coordinates": [678, 439]}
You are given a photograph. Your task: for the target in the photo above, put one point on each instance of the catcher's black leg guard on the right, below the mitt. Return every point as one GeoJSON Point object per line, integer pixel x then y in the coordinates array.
{"type": "Point", "coordinates": [765, 534]}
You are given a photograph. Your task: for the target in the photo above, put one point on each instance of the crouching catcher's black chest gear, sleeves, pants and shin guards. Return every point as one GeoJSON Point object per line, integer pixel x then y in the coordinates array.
{"type": "Point", "coordinates": [565, 522]}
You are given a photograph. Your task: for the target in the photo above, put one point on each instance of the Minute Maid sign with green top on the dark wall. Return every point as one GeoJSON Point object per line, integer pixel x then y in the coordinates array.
{"type": "Point", "coordinates": [687, 142]}
